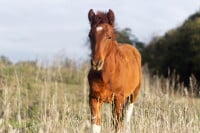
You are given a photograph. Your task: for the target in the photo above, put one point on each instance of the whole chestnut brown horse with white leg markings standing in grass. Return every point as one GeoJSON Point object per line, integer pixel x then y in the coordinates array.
{"type": "Point", "coordinates": [115, 74]}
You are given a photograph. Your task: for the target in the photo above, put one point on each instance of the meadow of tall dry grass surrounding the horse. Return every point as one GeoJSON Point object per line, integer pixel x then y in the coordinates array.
{"type": "Point", "coordinates": [54, 99]}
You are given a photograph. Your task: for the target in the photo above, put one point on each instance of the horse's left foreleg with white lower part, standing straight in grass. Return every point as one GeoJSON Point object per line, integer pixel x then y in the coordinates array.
{"type": "Point", "coordinates": [95, 107]}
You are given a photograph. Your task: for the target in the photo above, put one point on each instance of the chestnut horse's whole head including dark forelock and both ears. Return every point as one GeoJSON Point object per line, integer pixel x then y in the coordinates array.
{"type": "Point", "coordinates": [101, 35]}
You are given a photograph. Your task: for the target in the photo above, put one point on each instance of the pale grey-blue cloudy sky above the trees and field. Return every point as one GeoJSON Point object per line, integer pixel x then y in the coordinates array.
{"type": "Point", "coordinates": [46, 29]}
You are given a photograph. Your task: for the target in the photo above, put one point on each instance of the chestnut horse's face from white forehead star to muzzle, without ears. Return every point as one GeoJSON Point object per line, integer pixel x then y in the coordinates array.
{"type": "Point", "coordinates": [102, 41]}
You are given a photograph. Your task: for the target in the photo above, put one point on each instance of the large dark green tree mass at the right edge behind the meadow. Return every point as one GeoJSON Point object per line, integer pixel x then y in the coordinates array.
{"type": "Point", "coordinates": [178, 49]}
